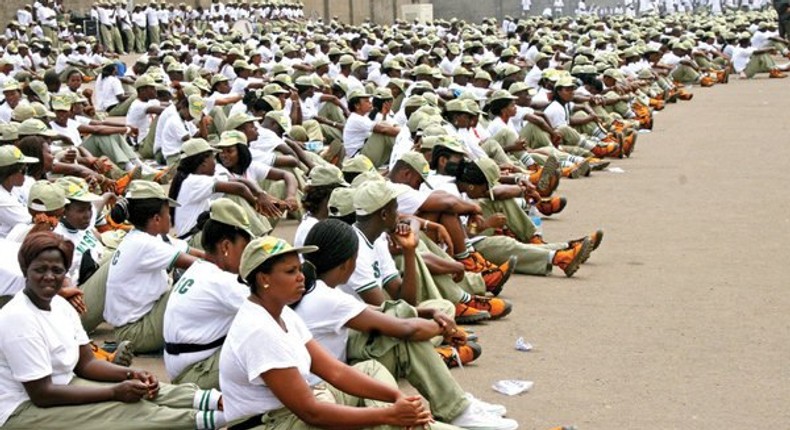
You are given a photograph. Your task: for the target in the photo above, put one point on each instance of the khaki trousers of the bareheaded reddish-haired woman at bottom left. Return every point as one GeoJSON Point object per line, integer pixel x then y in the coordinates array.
{"type": "Point", "coordinates": [172, 409]}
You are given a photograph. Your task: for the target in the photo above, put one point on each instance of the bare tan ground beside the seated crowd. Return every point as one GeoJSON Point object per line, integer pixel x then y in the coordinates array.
{"type": "Point", "coordinates": [679, 320]}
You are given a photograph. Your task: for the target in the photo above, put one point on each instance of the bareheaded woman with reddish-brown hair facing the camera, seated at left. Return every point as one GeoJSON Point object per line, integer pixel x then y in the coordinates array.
{"type": "Point", "coordinates": [49, 378]}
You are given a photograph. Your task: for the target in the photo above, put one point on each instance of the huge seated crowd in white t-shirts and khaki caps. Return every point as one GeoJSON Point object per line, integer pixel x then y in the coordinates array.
{"type": "Point", "coordinates": [417, 158]}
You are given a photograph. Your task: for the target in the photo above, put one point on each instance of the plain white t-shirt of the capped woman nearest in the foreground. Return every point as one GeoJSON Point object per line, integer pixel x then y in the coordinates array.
{"type": "Point", "coordinates": [255, 345]}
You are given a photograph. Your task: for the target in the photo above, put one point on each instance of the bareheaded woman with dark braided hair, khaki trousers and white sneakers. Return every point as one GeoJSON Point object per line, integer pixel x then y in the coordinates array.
{"type": "Point", "coordinates": [397, 335]}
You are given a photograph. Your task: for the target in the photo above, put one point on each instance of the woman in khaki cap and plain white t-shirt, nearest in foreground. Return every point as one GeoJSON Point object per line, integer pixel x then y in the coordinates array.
{"type": "Point", "coordinates": [269, 353]}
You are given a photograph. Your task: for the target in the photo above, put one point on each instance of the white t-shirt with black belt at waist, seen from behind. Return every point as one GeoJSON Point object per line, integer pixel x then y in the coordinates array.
{"type": "Point", "coordinates": [199, 311]}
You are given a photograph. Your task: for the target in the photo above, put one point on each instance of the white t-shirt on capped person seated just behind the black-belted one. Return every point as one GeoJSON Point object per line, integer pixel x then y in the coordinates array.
{"type": "Point", "coordinates": [137, 277]}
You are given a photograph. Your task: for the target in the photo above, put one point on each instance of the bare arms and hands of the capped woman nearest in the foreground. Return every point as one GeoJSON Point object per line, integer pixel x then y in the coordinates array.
{"type": "Point", "coordinates": [288, 386]}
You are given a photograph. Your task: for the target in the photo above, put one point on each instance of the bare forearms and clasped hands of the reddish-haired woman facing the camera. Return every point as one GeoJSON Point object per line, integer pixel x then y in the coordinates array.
{"type": "Point", "coordinates": [43, 393]}
